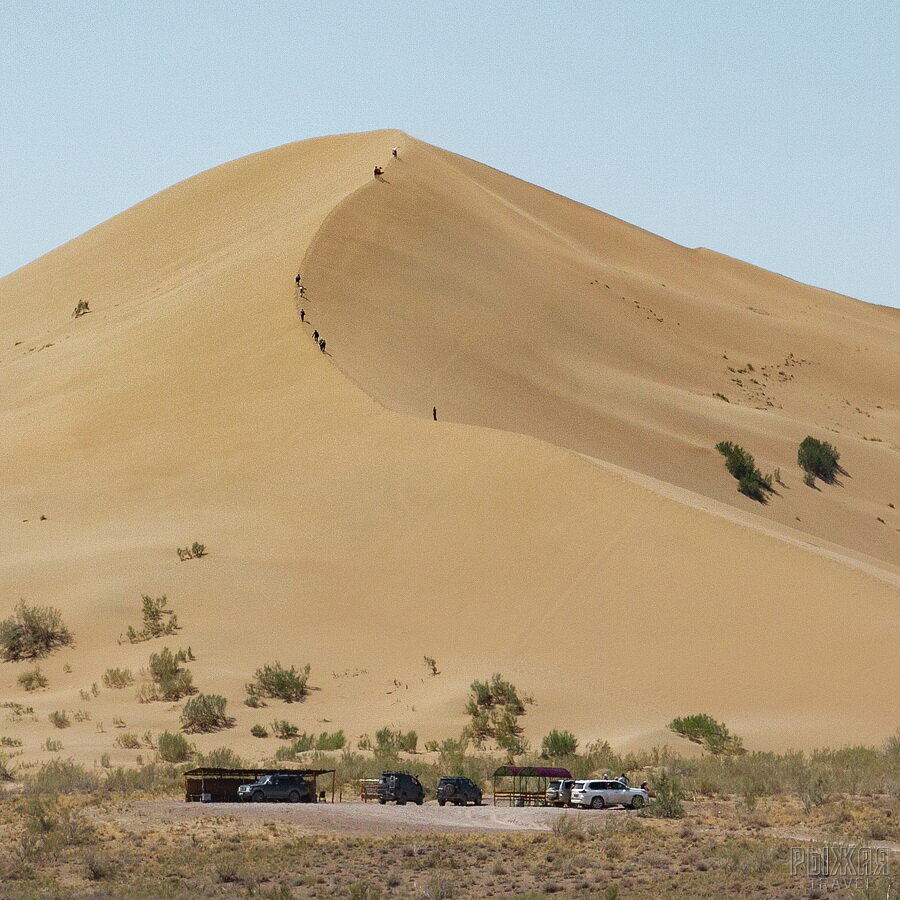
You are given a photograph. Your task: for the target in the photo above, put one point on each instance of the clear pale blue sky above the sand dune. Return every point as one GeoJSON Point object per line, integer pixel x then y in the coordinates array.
{"type": "Point", "coordinates": [765, 130]}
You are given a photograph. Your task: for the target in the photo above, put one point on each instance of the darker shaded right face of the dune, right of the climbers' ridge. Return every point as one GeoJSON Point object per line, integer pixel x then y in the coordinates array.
{"type": "Point", "coordinates": [454, 285]}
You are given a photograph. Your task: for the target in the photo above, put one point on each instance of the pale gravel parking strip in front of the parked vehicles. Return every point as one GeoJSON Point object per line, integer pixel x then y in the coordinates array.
{"type": "Point", "coordinates": [364, 818]}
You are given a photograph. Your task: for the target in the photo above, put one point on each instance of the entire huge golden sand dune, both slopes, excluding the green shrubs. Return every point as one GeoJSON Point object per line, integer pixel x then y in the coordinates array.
{"type": "Point", "coordinates": [621, 584]}
